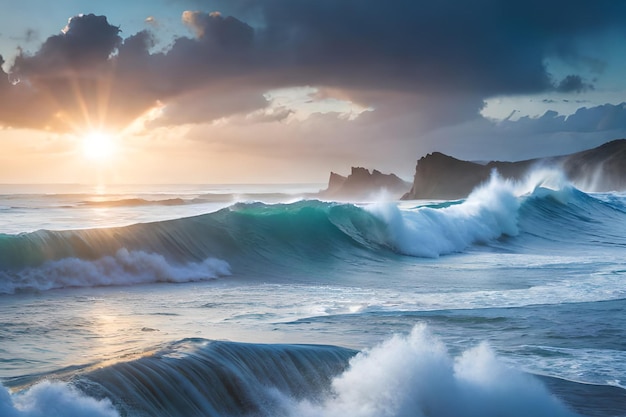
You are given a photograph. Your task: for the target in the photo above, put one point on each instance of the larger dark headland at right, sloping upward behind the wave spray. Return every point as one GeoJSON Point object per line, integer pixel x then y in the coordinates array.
{"type": "Point", "coordinates": [439, 176]}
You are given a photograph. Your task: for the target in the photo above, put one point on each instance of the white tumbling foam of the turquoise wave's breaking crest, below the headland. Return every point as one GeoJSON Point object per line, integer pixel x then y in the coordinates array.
{"type": "Point", "coordinates": [489, 212]}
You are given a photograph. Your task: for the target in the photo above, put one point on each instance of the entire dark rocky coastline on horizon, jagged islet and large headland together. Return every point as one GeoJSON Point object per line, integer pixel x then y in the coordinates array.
{"type": "Point", "coordinates": [442, 177]}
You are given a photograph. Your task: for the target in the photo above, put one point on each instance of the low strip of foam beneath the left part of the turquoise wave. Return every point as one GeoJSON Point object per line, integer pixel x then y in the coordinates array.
{"type": "Point", "coordinates": [124, 268]}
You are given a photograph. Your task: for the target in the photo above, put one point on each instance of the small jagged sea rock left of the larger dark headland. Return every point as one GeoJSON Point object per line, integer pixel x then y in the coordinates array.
{"type": "Point", "coordinates": [362, 184]}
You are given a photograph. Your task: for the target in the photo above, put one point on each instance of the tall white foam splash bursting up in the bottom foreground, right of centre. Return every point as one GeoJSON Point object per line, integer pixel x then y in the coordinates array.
{"type": "Point", "coordinates": [413, 375]}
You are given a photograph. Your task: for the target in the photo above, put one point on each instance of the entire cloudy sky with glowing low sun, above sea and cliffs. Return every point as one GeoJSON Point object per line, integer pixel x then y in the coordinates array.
{"type": "Point", "coordinates": [283, 91]}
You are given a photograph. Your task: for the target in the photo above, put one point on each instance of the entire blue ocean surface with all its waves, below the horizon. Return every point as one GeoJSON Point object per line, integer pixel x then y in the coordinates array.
{"type": "Point", "coordinates": [264, 301]}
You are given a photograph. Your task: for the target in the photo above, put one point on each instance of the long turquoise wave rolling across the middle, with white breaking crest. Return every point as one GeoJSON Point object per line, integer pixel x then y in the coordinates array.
{"type": "Point", "coordinates": [257, 238]}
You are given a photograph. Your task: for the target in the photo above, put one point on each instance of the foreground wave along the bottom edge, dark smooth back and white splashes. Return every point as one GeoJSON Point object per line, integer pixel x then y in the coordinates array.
{"type": "Point", "coordinates": [407, 375]}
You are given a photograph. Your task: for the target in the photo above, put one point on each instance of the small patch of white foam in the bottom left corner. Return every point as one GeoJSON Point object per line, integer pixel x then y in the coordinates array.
{"type": "Point", "coordinates": [53, 399]}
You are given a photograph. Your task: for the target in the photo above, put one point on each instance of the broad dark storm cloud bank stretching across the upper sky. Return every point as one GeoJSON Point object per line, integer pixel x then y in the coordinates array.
{"type": "Point", "coordinates": [384, 55]}
